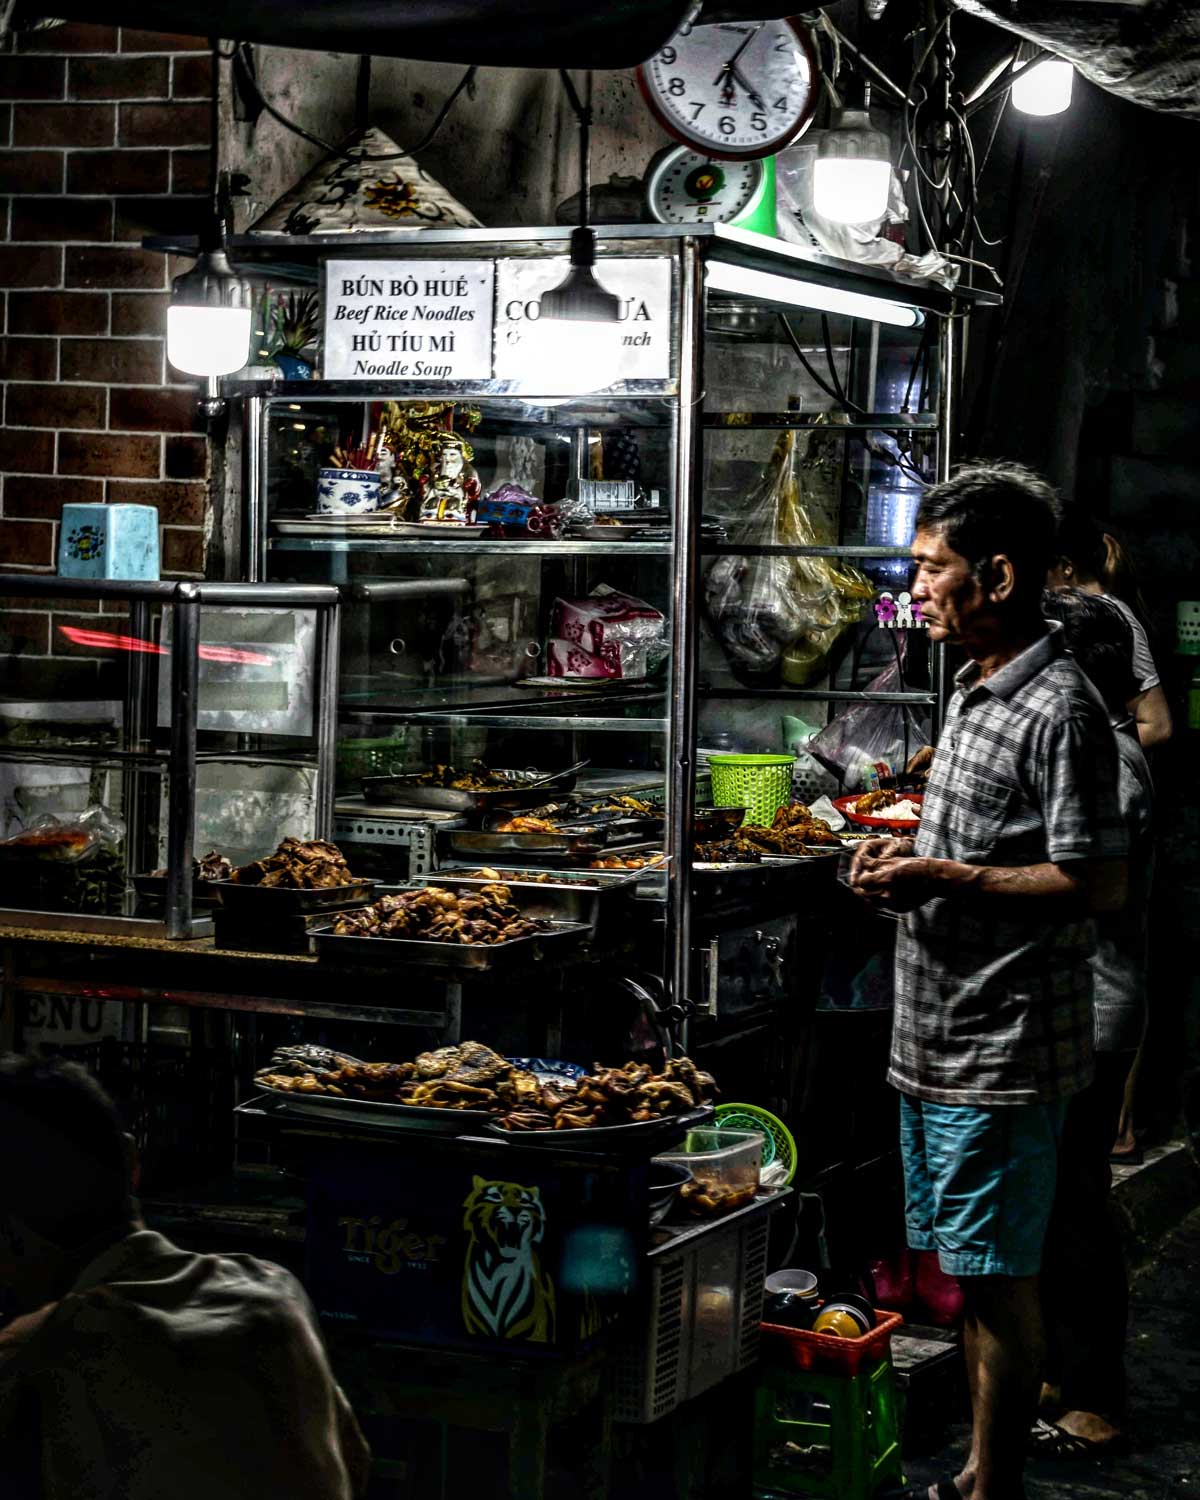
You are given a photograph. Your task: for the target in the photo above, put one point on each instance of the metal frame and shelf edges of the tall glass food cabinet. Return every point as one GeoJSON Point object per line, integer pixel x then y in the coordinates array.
{"type": "Point", "coordinates": [796, 274]}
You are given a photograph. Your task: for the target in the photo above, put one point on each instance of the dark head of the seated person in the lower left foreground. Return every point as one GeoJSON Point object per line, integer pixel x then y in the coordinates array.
{"type": "Point", "coordinates": [65, 1177]}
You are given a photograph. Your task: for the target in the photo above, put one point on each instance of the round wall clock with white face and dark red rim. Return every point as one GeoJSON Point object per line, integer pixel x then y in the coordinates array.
{"type": "Point", "coordinates": [736, 91]}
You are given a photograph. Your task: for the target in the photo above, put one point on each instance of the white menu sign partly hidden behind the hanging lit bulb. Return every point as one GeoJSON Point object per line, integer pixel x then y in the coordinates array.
{"type": "Point", "coordinates": [641, 286]}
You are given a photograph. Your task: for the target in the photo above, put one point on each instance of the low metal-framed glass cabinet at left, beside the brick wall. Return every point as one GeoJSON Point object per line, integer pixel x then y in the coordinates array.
{"type": "Point", "coordinates": [149, 724]}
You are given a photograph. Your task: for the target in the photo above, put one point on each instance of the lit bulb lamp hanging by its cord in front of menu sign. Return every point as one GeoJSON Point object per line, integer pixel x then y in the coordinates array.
{"type": "Point", "coordinates": [578, 334]}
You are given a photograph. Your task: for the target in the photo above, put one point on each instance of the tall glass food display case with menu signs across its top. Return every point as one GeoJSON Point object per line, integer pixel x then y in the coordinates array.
{"type": "Point", "coordinates": [715, 541]}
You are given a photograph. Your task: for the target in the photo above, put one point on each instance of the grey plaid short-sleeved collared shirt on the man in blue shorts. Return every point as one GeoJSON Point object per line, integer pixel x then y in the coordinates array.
{"type": "Point", "coordinates": [994, 998]}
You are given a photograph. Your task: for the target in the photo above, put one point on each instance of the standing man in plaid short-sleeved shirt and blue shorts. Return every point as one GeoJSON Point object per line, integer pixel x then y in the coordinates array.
{"type": "Point", "coordinates": [1021, 844]}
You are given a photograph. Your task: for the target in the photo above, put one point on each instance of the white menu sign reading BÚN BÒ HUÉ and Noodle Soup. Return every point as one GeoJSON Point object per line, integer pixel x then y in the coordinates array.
{"type": "Point", "coordinates": [409, 320]}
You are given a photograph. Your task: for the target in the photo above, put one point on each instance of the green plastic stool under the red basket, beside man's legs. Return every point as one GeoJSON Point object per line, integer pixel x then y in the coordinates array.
{"type": "Point", "coordinates": [827, 1435]}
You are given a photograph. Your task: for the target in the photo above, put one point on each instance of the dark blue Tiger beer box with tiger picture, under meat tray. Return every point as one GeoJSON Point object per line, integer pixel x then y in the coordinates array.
{"type": "Point", "coordinates": [473, 1244]}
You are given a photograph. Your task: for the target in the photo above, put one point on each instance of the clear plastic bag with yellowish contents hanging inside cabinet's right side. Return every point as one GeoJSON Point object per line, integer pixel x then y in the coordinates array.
{"type": "Point", "coordinates": [781, 616]}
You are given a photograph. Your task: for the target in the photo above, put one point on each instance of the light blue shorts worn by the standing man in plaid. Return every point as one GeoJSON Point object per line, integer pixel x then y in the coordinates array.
{"type": "Point", "coordinates": [980, 1183]}
